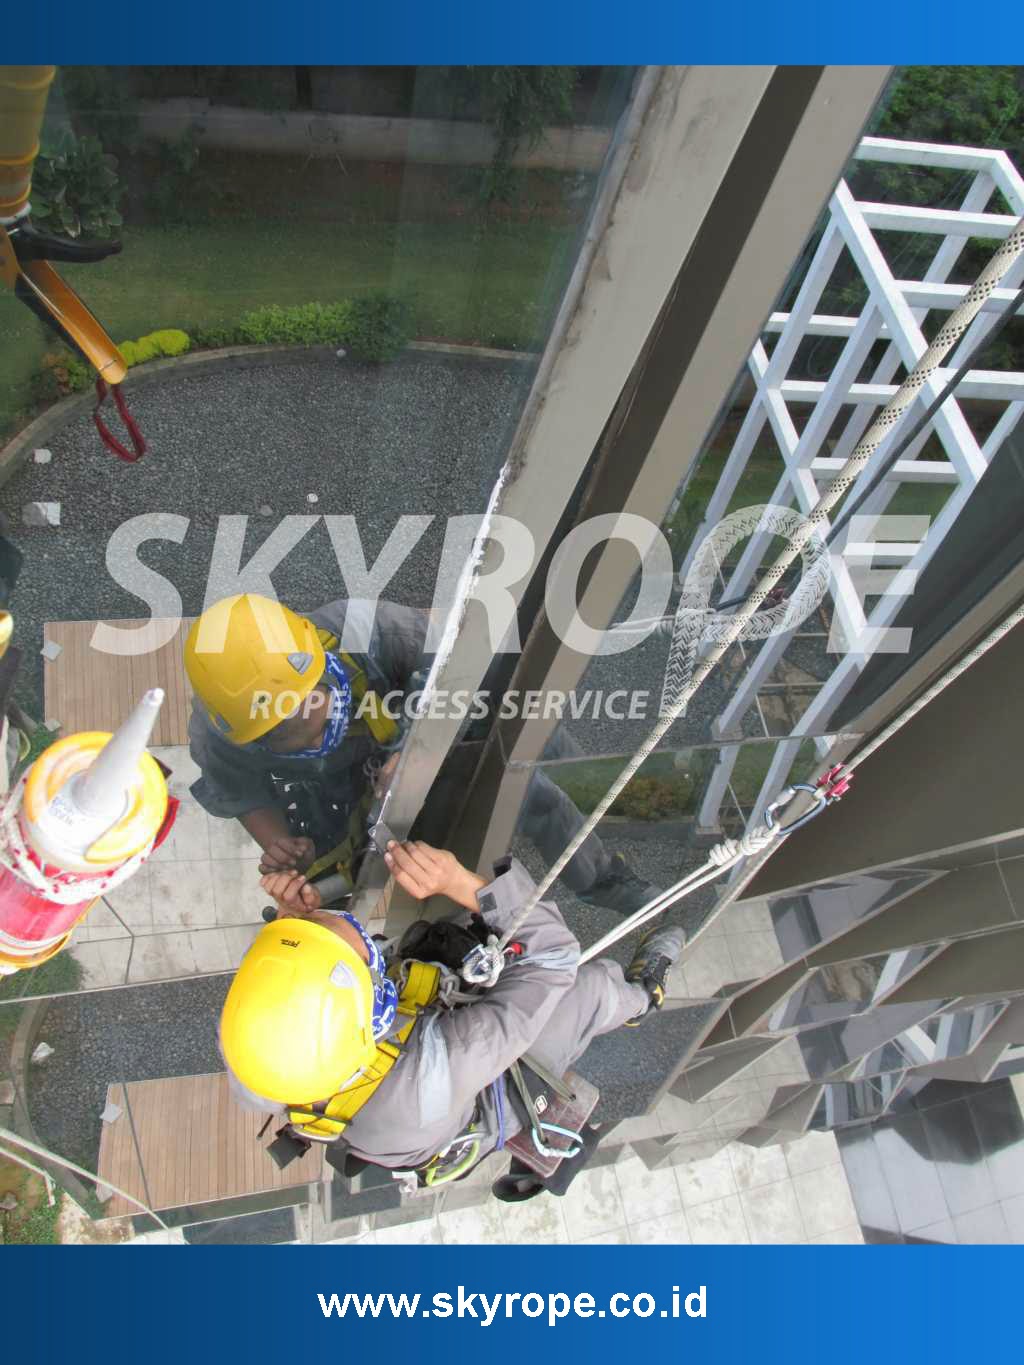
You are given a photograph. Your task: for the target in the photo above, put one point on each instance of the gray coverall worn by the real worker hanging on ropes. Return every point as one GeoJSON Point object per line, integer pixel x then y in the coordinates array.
{"type": "Point", "coordinates": [544, 1004]}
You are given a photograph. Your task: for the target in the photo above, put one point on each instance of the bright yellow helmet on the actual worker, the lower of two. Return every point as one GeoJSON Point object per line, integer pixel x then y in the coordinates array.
{"type": "Point", "coordinates": [298, 1020]}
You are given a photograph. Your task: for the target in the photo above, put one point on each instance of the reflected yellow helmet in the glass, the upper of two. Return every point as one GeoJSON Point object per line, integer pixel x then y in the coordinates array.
{"type": "Point", "coordinates": [252, 663]}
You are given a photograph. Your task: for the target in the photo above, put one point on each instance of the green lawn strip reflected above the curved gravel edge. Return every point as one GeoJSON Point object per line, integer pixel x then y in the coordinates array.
{"type": "Point", "coordinates": [496, 286]}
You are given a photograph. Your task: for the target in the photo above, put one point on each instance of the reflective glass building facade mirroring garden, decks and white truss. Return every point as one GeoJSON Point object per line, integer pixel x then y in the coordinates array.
{"type": "Point", "coordinates": [371, 289]}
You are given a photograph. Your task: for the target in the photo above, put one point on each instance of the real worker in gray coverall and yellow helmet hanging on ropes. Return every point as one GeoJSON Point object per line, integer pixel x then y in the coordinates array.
{"type": "Point", "coordinates": [380, 1053]}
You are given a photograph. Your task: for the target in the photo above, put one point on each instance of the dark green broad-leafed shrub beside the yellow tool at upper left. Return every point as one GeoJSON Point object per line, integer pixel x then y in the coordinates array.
{"type": "Point", "coordinates": [76, 189]}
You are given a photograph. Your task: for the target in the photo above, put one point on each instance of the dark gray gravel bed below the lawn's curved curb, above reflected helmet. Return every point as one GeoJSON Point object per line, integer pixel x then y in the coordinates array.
{"type": "Point", "coordinates": [423, 436]}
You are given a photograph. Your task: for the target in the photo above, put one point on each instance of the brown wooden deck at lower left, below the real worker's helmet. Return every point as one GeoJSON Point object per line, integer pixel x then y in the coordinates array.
{"type": "Point", "coordinates": [197, 1146]}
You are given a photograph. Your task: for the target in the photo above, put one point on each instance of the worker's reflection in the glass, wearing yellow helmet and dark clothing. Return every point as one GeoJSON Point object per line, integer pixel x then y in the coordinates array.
{"type": "Point", "coordinates": [293, 738]}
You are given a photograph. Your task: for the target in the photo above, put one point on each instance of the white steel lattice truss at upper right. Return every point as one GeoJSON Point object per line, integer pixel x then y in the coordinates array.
{"type": "Point", "coordinates": [895, 312]}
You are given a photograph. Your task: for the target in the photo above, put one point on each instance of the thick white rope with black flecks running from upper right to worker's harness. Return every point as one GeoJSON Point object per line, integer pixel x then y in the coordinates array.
{"type": "Point", "coordinates": [812, 528]}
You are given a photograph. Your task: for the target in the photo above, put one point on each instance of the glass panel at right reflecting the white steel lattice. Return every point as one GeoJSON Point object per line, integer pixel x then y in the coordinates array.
{"type": "Point", "coordinates": [829, 358]}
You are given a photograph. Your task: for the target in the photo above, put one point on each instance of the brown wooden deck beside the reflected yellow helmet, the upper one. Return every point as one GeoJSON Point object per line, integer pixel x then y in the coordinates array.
{"type": "Point", "coordinates": [87, 690]}
